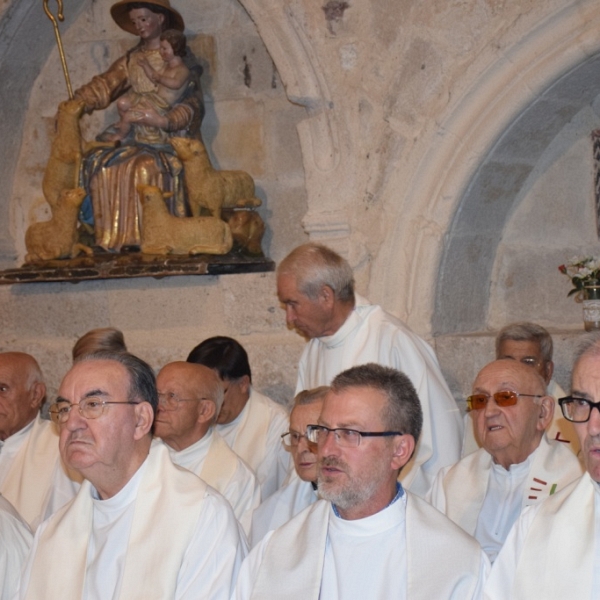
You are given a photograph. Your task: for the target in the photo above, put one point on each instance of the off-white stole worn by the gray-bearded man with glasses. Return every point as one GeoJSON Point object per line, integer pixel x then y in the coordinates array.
{"type": "Point", "coordinates": [292, 565]}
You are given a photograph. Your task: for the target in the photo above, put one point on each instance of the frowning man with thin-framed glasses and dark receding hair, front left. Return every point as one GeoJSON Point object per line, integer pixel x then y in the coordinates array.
{"type": "Point", "coordinates": [139, 527]}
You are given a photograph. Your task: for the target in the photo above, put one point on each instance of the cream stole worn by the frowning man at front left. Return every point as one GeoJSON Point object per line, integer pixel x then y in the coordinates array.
{"type": "Point", "coordinates": [168, 505]}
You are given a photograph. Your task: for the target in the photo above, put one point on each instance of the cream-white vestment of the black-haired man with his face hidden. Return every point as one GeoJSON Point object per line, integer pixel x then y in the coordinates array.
{"type": "Point", "coordinates": [255, 436]}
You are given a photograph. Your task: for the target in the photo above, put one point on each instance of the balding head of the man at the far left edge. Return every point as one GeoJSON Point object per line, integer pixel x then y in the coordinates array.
{"type": "Point", "coordinates": [22, 391]}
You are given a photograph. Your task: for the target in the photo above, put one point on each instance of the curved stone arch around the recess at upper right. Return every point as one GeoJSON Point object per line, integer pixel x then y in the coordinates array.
{"type": "Point", "coordinates": [483, 151]}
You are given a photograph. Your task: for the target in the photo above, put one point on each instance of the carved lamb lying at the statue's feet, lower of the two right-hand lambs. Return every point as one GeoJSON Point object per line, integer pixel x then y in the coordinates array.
{"type": "Point", "coordinates": [162, 233]}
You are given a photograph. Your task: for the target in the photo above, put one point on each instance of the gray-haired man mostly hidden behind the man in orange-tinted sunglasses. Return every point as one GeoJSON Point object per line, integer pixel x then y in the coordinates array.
{"type": "Point", "coordinates": [531, 345]}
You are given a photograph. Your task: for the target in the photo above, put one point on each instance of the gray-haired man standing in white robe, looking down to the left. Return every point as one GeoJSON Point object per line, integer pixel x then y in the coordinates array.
{"type": "Point", "coordinates": [316, 287]}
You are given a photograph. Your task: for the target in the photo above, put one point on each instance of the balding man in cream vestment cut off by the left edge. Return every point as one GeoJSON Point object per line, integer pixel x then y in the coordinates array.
{"type": "Point", "coordinates": [32, 476]}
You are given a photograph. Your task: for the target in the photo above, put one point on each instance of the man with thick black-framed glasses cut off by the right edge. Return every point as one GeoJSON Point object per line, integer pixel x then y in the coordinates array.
{"type": "Point", "coordinates": [553, 551]}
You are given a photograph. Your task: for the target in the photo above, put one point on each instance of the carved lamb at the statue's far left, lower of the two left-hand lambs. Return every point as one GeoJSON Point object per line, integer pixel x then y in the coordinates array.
{"type": "Point", "coordinates": [57, 238]}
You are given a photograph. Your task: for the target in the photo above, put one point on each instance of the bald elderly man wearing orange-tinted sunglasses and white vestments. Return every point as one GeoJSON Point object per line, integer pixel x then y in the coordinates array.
{"type": "Point", "coordinates": [486, 491]}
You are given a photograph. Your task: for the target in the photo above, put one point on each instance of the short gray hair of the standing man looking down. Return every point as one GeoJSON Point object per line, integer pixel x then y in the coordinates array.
{"type": "Point", "coordinates": [315, 265]}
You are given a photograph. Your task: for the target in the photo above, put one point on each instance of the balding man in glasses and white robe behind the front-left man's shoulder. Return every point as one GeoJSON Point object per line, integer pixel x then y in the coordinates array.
{"type": "Point", "coordinates": [190, 397]}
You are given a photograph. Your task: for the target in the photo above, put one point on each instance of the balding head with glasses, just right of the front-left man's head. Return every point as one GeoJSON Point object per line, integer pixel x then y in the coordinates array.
{"type": "Point", "coordinates": [190, 398]}
